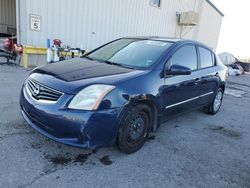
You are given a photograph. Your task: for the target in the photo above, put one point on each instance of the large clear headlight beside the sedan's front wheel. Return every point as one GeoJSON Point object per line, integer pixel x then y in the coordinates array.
{"type": "Point", "coordinates": [90, 97]}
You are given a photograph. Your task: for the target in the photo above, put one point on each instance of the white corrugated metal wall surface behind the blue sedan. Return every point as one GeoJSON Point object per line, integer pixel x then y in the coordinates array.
{"type": "Point", "coordinates": [93, 22]}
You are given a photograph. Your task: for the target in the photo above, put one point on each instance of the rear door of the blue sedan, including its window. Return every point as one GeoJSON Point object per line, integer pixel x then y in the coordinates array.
{"type": "Point", "coordinates": [208, 75]}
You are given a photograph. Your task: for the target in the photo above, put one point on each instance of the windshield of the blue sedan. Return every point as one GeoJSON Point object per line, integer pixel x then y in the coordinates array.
{"type": "Point", "coordinates": [134, 53]}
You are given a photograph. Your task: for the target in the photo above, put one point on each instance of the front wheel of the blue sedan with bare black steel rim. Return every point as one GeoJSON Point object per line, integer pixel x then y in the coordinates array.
{"type": "Point", "coordinates": [134, 128]}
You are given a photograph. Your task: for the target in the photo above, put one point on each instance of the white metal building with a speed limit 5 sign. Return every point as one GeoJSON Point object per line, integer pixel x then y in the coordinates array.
{"type": "Point", "coordinates": [90, 23]}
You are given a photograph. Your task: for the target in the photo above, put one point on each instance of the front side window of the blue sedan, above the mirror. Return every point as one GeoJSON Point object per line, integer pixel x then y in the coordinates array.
{"type": "Point", "coordinates": [185, 56]}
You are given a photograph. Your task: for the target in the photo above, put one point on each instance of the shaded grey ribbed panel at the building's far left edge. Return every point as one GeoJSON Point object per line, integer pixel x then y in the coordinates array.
{"type": "Point", "coordinates": [7, 15]}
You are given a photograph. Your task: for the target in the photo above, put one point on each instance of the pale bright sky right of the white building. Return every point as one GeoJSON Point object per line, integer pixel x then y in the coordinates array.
{"type": "Point", "coordinates": [235, 31]}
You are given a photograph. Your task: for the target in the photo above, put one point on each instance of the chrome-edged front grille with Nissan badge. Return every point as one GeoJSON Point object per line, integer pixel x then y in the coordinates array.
{"type": "Point", "coordinates": [41, 92]}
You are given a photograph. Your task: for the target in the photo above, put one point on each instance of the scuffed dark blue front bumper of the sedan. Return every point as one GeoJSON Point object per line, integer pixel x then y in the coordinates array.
{"type": "Point", "coordinates": [85, 129]}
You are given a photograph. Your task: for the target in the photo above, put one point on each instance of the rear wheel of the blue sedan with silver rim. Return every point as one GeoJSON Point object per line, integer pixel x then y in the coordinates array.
{"type": "Point", "coordinates": [214, 107]}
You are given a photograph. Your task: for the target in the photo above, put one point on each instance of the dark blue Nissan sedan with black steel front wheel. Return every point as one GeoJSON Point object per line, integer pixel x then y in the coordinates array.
{"type": "Point", "coordinates": [122, 91]}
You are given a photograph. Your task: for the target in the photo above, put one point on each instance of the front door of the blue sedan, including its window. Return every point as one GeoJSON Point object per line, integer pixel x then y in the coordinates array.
{"type": "Point", "coordinates": [180, 92]}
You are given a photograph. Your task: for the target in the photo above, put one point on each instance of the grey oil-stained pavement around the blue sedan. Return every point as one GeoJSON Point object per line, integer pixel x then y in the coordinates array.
{"type": "Point", "coordinates": [193, 150]}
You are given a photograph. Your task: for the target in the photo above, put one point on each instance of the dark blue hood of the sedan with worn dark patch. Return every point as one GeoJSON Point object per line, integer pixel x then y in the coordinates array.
{"type": "Point", "coordinates": [71, 76]}
